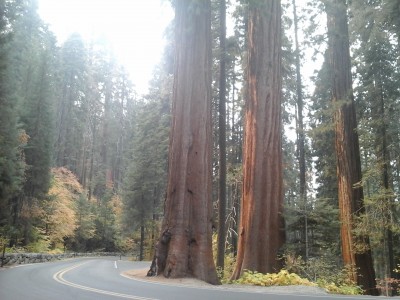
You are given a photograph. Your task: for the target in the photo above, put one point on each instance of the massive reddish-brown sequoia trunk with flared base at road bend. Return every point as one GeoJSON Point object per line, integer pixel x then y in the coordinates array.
{"type": "Point", "coordinates": [184, 248]}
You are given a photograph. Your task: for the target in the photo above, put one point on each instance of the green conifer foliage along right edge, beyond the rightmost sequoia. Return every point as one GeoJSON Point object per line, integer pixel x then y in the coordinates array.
{"type": "Point", "coordinates": [377, 94]}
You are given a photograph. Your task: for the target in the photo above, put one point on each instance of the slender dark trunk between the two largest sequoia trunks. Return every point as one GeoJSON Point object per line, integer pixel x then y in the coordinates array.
{"type": "Point", "coordinates": [222, 138]}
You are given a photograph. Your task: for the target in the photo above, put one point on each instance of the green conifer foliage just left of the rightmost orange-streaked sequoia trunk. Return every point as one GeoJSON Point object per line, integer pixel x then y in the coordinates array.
{"type": "Point", "coordinates": [325, 214]}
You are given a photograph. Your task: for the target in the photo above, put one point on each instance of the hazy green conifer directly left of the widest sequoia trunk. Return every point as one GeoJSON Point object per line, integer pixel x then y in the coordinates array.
{"type": "Point", "coordinates": [145, 179]}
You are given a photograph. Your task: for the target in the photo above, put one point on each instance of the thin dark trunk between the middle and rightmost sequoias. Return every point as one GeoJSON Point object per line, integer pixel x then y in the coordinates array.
{"type": "Point", "coordinates": [300, 132]}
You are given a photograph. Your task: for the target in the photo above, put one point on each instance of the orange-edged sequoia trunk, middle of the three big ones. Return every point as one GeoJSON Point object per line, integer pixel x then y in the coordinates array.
{"type": "Point", "coordinates": [261, 228]}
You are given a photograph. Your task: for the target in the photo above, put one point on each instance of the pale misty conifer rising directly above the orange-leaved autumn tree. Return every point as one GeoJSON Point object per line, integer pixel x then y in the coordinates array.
{"type": "Point", "coordinates": [71, 104]}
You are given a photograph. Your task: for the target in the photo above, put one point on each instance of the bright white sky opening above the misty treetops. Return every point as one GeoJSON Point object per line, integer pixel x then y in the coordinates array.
{"type": "Point", "coordinates": [135, 29]}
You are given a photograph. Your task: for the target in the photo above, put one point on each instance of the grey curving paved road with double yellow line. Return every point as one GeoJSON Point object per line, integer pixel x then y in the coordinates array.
{"type": "Point", "coordinates": [101, 279]}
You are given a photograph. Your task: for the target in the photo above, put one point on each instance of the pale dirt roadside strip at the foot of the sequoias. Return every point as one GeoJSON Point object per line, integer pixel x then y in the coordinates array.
{"type": "Point", "coordinates": [192, 282]}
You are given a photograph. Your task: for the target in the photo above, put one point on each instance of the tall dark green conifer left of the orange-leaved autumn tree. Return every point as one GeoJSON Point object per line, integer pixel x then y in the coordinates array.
{"type": "Point", "coordinates": [32, 72]}
